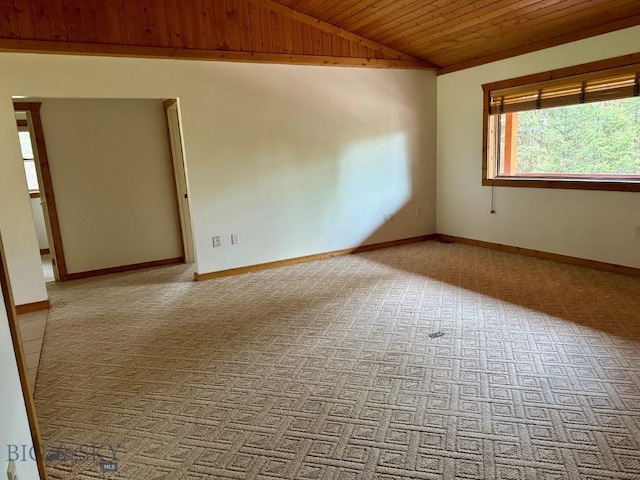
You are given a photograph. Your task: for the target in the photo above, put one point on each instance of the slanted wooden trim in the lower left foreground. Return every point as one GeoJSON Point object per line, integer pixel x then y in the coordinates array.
{"type": "Point", "coordinates": [16, 339]}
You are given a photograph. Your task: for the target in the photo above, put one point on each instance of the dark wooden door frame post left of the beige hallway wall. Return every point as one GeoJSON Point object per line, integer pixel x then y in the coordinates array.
{"type": "Point", "coordinates": [47, 197]}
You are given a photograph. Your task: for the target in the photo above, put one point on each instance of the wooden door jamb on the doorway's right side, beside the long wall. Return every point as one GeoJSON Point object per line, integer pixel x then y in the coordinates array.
{"type": "Point", "coordinates": [179, 169]}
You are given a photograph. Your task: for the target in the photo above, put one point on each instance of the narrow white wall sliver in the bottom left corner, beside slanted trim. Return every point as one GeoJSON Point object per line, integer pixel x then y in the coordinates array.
{"type": "Point", "coordinates": [14, 428]}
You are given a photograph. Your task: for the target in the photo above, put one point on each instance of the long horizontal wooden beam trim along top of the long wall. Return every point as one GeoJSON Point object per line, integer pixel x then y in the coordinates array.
{"type": "Point", "coordinates": [94, 49]}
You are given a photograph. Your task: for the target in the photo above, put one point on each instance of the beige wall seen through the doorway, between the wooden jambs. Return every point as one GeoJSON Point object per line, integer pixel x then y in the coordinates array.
{"type": "Point", "coordinates": [112, 179]}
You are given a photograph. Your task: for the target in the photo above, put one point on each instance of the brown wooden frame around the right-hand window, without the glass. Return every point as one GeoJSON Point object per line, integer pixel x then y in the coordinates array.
{"type": "Point", "coordinates": [490, 176]}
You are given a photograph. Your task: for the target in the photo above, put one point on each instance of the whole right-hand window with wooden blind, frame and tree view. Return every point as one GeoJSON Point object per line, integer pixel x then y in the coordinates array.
{"type": "Point", "coordinates": [570, 128]}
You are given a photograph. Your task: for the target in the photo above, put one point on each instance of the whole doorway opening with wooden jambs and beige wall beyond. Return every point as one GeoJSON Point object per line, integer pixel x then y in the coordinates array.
{"type": "Point", "coordinates": [135, 163]}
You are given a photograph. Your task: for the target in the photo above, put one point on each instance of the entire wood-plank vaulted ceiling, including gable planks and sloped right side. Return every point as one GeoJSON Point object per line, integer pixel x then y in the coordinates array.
{"type": "Point", "coordinates": [446, 35]}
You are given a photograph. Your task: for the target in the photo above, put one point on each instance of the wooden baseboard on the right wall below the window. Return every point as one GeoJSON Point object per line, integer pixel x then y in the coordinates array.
{"type": "Point", "coordinates": [556, 257]}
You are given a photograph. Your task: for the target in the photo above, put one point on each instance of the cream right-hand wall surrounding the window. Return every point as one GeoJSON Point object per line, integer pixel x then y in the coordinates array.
{"type": "Point", "coordinates": [596, 225]}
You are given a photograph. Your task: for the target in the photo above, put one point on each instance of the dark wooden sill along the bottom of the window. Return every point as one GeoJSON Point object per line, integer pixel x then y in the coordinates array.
{"type": "Point", "coordinates": [616, 185]}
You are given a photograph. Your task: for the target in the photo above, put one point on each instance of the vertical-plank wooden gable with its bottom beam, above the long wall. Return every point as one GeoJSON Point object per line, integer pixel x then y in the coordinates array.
{"type": "Point", "coordinates": [245, 30]}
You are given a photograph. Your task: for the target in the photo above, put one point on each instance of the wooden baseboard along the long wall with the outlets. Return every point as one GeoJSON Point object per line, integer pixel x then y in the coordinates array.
{"type": "Point", "coordinates": [198, 277]}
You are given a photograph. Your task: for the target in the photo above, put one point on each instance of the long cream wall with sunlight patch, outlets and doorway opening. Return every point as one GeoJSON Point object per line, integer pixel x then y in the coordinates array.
{"type": "Point", "coordinates": [296, 159]}
